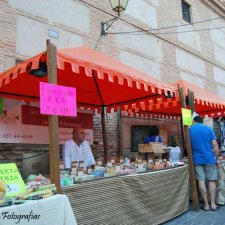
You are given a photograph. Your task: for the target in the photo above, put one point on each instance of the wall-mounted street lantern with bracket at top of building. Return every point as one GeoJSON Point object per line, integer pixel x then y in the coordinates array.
{"type": "Point", "coordinates": [118, 6]}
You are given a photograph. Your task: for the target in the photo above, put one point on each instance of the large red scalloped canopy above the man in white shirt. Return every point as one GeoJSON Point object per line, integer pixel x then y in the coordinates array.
{"type": "Point", "coordinates": [100, 81]}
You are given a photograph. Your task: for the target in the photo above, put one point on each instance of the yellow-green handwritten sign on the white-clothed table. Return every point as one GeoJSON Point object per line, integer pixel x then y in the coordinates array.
{"type": "Point", "coordinates": [10, 174]}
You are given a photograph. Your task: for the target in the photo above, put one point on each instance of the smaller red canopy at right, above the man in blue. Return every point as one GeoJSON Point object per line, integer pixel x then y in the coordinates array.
{"type": "Point", "coordinates": [206, 102]}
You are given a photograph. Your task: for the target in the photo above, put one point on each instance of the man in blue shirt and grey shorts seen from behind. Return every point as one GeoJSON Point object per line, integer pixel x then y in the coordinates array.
{"type": "Point", "coordinates": [205, 157]}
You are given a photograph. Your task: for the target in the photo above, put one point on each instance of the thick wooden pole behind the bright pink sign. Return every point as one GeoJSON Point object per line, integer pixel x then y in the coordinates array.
{"type": "Point", "coordinates": [53, 120]}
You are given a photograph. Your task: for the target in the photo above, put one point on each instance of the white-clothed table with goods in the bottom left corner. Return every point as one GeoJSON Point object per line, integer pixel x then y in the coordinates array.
{"type": "Point", "coordinates": [39, 204]}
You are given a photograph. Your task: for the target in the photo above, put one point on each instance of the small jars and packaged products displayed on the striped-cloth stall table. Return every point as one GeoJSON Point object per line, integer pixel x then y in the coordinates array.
{"type": "Point", "coordinates": [113, 167]}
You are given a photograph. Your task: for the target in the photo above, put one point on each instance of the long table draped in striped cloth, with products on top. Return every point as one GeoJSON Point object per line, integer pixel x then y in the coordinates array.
{"type": "Point", "coordinates": [127, 191]}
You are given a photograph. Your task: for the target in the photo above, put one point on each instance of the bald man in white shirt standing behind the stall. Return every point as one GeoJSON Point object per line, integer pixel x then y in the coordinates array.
{"type": "Point", "coordinates": [77, 149]}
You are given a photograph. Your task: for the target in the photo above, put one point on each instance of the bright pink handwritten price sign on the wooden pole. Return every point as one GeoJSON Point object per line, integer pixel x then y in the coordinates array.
{"type": "Point", "coordinates": [57, 100]}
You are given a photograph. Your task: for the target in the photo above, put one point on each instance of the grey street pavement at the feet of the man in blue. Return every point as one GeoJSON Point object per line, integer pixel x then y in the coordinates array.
{"type": "Point", "coordinates": [200, 217]}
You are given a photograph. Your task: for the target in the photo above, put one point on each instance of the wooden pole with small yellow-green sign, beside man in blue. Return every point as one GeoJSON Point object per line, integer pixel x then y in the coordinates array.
{"type": "Point", "coordinates": [189, 152]}
